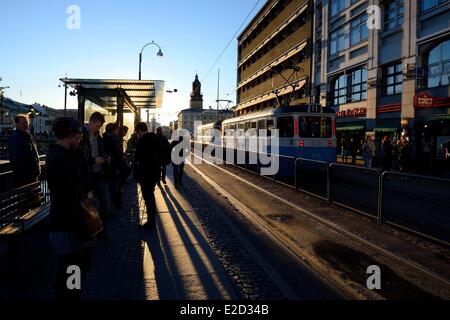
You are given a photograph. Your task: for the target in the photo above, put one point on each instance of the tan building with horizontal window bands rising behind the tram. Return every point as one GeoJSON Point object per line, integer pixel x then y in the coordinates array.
{"type": "Point", "coordinates": [273, 48]}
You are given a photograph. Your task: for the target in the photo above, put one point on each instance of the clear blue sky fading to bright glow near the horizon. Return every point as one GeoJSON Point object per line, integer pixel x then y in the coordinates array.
{"type": "Point", "coordinates": [37, 48]}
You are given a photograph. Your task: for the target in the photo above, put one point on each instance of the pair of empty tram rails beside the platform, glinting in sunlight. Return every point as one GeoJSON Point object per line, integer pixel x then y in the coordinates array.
{"type": "Point", "coordinates": [304, 257]}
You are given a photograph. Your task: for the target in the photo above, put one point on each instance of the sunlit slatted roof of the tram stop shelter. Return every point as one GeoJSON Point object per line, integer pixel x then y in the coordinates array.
{"type": "Point", "coordinates": [117, 96]}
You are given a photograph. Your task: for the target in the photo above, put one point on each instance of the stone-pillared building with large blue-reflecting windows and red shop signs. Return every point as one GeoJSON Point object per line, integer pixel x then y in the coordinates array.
{"type": "Point", "coordinates": [391, 79]}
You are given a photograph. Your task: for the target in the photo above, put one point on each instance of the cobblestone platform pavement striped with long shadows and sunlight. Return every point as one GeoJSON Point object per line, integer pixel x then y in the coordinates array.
{"type": "Point", "coordinates": [119, 265]}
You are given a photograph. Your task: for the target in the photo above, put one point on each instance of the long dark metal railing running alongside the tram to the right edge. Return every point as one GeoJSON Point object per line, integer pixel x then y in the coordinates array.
{"type": "Point", "coordinates": [419, 204]}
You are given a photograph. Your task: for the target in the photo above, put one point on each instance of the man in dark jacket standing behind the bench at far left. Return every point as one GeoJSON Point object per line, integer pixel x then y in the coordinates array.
{"type": "Point", "coordinates": [22, 153]}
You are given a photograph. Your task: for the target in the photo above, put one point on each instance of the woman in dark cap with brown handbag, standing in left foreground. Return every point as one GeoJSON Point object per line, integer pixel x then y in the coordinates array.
{"type": "Point", "coordinates": [69, 233]}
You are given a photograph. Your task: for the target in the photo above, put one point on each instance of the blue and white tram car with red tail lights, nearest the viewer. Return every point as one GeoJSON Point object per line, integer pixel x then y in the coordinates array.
{"type": "Point", "coordinates": [305, 131]}
